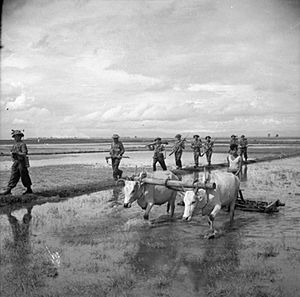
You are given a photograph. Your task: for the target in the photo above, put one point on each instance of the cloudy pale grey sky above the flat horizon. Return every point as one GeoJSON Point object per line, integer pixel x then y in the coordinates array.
{"type": "Point", "coordinates": [91, 68]}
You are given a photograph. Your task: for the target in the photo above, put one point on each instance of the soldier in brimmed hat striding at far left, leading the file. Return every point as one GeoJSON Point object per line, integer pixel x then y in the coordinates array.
{"type": "Point", "coordinates": [20, 164]}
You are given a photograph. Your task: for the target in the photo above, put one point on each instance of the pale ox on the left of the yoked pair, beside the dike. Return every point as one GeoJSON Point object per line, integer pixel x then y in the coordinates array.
{"type": "Point", "coordinates": [148, 195]}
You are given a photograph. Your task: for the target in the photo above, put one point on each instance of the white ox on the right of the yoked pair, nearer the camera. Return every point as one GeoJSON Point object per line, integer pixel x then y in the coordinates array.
{"type": "Point", "coordinates": [211, 200]}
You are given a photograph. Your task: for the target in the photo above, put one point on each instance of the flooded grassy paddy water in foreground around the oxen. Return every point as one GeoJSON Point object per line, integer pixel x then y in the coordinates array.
{"type": "Point", "coordinates": [92, 246]}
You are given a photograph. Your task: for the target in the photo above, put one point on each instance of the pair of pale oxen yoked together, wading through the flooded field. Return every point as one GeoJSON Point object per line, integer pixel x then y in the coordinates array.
{"type": "Point", "coordinates": [209, 201]}
